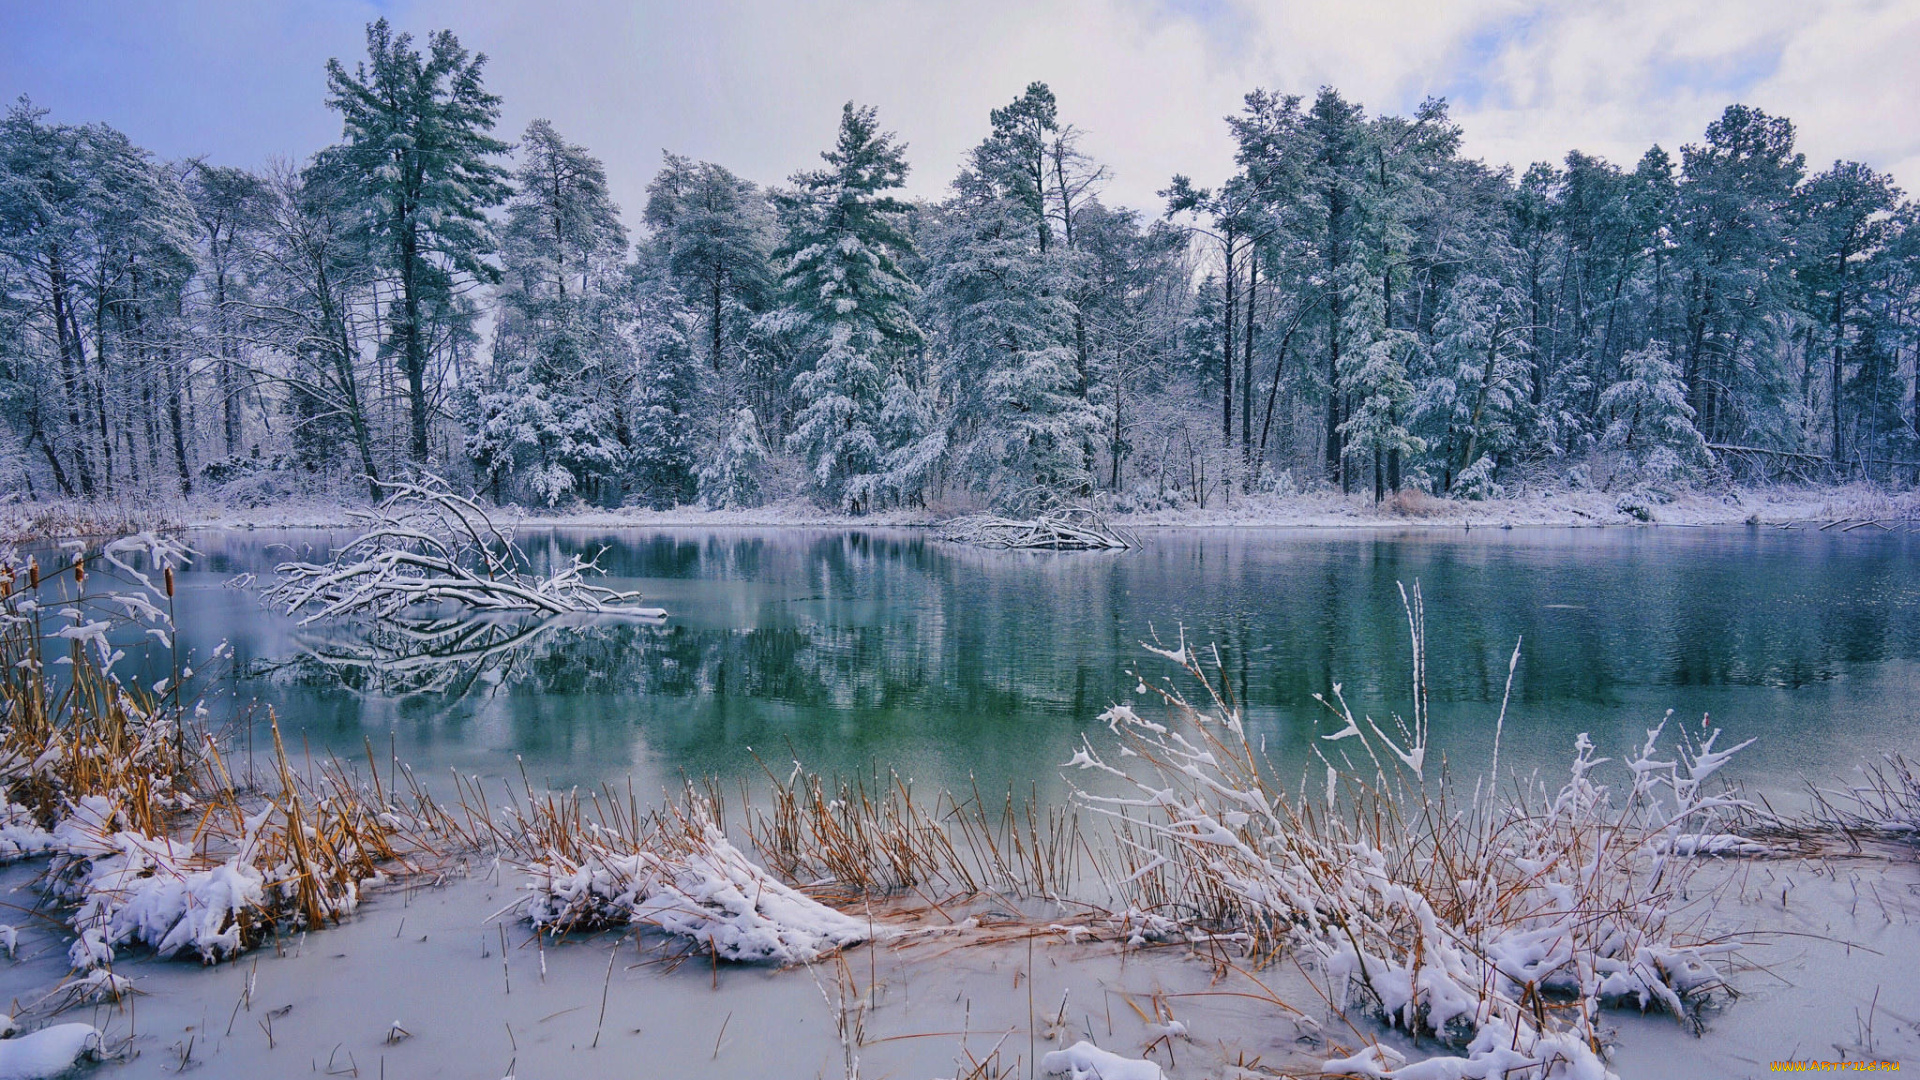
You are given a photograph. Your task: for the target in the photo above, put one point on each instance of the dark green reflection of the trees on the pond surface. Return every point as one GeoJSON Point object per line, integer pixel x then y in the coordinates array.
{"type": "Point", "coordinates": [890, 620]}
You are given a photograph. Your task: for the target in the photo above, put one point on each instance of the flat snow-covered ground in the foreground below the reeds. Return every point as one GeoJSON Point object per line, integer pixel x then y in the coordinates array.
{"type": "Point", "coordinates": [416, 987]}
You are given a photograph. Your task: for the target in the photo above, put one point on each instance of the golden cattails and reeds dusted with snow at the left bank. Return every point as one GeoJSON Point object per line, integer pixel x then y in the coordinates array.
{"type": "Point", "coordinates": [149, 841]}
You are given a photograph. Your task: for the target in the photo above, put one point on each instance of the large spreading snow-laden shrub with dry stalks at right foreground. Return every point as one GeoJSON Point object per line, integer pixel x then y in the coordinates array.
{"type": "Point", "coordinates": [1495, 923]}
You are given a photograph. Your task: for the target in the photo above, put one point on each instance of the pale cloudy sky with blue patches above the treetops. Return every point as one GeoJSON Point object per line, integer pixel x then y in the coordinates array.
{"type": "Point", "coordinates": [757, 84]}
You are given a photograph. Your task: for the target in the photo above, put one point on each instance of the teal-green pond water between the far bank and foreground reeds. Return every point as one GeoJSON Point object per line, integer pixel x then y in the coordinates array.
{"type": "Point", "coordinates": [886, 649]}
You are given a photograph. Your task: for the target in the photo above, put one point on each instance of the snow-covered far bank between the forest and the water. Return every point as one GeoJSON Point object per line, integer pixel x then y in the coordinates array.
{"type": "Point", "coordinates": [1856, 504]}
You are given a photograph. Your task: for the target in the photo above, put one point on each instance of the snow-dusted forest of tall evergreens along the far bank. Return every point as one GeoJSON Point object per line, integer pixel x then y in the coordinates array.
{"type": "Point", "coordinates": [1358, 307]}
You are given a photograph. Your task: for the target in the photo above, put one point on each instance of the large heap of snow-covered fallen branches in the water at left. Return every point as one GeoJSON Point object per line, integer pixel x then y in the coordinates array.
{"type": "Point", "coordinates": [425, 545]}
